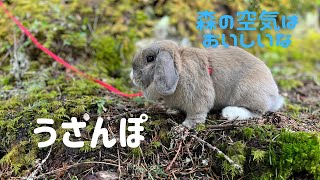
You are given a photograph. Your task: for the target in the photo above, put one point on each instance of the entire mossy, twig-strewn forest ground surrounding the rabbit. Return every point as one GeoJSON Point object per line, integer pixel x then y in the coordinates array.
{"type": "Point", "coordinates": [98, 39]}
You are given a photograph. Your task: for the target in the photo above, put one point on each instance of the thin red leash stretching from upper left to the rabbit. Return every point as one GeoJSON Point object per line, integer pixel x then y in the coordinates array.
{"type": "Point", "coordinates": [60, 60]}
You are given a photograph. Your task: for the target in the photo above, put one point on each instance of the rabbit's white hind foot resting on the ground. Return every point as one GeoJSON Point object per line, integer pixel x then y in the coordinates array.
{"type": "Point", "coordinates": [237, 113]}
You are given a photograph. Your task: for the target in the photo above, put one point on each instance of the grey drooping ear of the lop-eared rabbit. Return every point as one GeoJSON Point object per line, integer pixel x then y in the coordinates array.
{"type": "Point", "coordinates": [166, 76]}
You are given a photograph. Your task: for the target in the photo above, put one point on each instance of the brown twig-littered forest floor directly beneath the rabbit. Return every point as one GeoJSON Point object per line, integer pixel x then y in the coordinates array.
{"type": "Point", "coordinates": [171, 152]}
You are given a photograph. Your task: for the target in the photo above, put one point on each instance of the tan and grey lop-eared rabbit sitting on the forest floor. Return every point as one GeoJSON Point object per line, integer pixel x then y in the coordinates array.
{"type": "Point", "coordinates": [240, 84]}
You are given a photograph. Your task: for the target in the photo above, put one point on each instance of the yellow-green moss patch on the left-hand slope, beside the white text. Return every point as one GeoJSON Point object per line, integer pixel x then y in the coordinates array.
{"type": "Point", "coordinates": [18, 116]}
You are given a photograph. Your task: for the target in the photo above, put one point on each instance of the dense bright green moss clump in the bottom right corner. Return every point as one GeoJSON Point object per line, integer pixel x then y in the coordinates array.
{"type": "Point", "coordinates": [296, 152]}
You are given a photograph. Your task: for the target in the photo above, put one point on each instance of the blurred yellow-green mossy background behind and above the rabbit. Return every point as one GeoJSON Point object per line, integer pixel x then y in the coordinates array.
{"type": "Point", "coordinates": [104, 33]}
